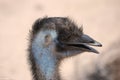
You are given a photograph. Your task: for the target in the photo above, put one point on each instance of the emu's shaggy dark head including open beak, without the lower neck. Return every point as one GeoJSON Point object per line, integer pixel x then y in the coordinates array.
{"type": "Point", "coordinates": [62, 37]}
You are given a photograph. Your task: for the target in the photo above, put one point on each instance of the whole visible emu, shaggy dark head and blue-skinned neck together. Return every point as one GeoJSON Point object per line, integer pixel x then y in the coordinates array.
{"type": "Point", "coordinates": [51, 40]}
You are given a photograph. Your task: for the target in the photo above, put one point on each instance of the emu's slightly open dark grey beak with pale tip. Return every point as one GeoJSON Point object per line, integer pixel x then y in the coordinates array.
{"type": "Point", "coordinates": [85, 43]}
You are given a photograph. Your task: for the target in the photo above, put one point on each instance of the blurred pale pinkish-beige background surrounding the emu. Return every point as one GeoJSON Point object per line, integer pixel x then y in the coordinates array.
{"type": "Point", "coordinates": [100, 20]}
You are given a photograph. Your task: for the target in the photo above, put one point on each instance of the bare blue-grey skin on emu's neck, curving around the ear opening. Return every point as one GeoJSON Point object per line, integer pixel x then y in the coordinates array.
{"type": "Point", "coordinates": [43, 53]}
